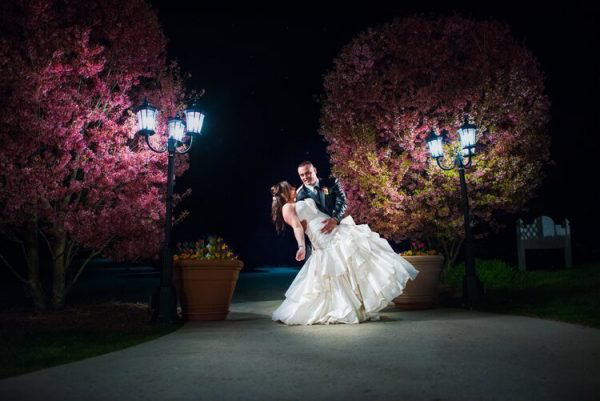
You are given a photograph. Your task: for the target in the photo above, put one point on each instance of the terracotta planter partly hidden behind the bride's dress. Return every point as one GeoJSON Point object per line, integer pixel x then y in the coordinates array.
{"type": "Point", "coordinates": [421, 293]}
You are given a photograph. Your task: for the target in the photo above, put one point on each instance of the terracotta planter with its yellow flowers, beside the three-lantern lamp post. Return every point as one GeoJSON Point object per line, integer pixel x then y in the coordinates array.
{"type": "Point", "coordinates": [206, 273]}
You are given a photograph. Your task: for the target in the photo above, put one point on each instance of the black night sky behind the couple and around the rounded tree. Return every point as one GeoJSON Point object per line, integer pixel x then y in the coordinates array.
{"type": "Point", "coordinates": [263, 72]}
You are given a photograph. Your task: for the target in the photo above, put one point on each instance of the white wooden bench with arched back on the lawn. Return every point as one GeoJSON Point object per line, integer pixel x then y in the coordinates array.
{"type": "Point", "coordinates": [543, 234]}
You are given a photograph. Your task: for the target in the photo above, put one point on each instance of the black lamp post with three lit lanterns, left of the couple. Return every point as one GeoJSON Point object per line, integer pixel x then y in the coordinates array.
{"type": "Point", "coordinates": [178, 131]}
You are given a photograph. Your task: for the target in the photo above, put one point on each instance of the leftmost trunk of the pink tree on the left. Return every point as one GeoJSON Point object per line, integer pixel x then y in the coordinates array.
{"type": "Point", "coordinates": [32, 259]}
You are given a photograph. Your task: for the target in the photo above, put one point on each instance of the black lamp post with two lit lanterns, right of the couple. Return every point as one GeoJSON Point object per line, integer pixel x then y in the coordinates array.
{"type": "Point", "coordinates": [472, 286]}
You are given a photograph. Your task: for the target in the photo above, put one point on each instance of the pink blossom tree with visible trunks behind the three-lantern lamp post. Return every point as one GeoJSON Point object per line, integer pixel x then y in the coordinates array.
{"type": "Point", "coordinates": [72, 173]}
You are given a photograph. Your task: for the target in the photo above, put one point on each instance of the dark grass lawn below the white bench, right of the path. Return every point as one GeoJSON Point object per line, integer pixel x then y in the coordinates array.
{"type": "Point", "coordinates": [569, 295]}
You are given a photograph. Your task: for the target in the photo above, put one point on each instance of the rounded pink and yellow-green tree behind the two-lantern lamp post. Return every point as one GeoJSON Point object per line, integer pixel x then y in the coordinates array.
{"type": "Point", "coordinates": [392, 85]}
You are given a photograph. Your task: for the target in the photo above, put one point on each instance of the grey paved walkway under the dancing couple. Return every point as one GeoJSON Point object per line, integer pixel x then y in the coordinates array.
{"type": "Point", "coordinates": [438, 354]}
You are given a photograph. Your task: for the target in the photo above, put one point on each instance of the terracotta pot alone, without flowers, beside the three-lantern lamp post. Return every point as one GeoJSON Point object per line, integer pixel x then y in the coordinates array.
{"type": "Point", "coordinates": [206, 287]}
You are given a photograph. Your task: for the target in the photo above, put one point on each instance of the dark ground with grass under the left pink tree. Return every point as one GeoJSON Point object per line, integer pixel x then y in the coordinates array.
{"type": "Point", "coordinates": [31, 341]}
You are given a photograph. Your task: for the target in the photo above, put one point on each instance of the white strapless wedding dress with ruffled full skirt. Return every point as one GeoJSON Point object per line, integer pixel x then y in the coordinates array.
{"type": "Point", "coordinates": [350, 276]}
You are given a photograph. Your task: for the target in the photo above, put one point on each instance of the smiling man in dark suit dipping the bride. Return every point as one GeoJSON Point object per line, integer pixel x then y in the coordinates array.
{"type": "Point", "coordinates": [327, 194]}
